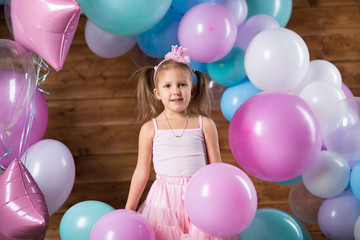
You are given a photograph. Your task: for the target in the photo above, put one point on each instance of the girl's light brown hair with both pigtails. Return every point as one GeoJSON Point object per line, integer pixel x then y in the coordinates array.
{"type": "Point", "coordinates": [149, 106]}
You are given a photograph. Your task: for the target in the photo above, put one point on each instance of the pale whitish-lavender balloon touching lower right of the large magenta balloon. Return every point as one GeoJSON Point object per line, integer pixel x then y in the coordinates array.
{"type": "Point", "coordinates": [328, 176]}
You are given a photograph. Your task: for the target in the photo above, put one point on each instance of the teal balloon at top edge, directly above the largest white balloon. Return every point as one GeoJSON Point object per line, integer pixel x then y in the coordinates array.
{"type": "Point", "coordinates": [278, 9]}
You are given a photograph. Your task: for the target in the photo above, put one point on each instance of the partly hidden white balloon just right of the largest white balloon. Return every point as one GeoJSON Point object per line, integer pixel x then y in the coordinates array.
{"type": "Point", "coordinates": [319, 70]}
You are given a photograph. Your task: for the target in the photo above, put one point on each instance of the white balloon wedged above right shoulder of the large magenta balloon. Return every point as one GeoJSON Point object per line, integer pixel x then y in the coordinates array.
{"type": "Point", "coordinates": [321, 96]}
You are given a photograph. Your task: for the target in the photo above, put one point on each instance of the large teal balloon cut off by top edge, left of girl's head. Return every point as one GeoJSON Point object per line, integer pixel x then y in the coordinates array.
{"type": "Point", "coordinates": [125, 17]}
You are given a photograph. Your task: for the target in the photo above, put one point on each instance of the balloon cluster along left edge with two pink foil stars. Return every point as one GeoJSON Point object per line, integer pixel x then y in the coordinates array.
{"type": "Point", "coordinates": [34, 187]}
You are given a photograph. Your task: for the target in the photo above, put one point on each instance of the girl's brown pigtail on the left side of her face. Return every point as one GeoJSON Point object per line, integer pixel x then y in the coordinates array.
{"type": "Point", "coordinates": [148, 104]}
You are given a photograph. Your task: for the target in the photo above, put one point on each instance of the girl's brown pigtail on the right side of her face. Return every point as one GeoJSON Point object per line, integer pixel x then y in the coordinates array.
{"type": "Point", "coordinates": [201, 99]}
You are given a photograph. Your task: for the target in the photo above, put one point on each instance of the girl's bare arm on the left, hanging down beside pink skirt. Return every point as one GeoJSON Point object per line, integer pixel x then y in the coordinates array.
{"type": "Point", "coordinates": [142, 170]}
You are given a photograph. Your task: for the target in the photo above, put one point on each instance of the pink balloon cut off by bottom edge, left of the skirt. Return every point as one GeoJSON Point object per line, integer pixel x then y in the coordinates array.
{"type": "Point", "coordinates": [122, 224]}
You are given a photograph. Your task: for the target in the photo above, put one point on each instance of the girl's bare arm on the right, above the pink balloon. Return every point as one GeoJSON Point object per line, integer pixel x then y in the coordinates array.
{"type": "Point", "coordinates": [211, 140]}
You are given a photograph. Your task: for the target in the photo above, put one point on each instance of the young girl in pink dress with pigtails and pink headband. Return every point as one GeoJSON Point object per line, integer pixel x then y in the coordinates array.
{"type": "Point", "coordinates": [179, 137]}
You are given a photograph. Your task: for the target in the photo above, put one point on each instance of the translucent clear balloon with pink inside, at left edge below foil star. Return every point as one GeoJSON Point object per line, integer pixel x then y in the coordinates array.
{"type": "Point", "coordinates": [17, 82]}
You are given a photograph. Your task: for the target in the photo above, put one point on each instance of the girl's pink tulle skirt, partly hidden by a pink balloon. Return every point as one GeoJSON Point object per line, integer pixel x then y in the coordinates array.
{"type": "Point", "coordinates": [164, 208]}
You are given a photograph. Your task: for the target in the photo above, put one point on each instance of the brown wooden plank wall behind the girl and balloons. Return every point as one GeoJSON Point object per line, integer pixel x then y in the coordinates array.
{"type": "Point", "coordinates": [91, 106]}
